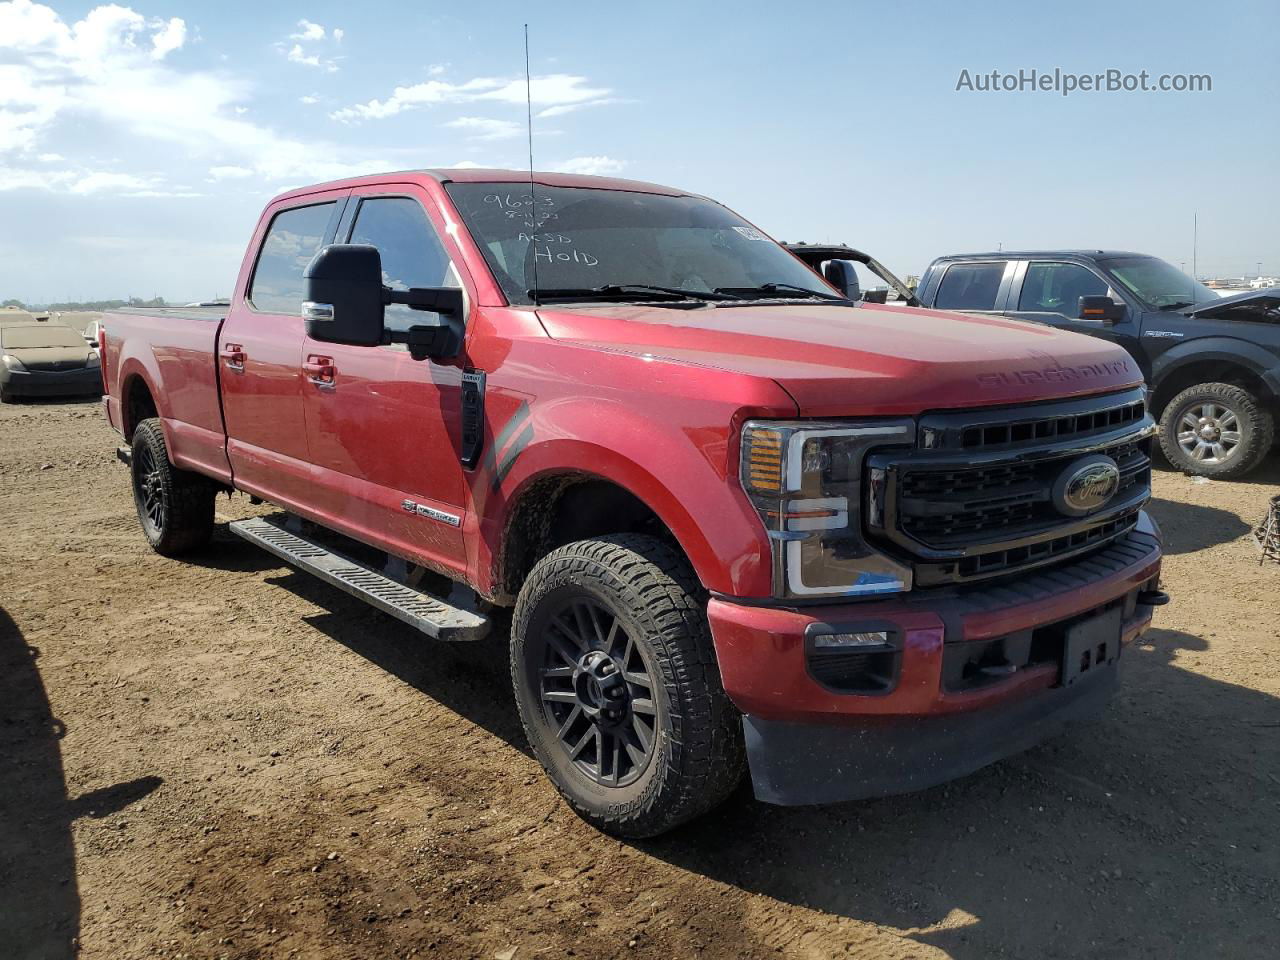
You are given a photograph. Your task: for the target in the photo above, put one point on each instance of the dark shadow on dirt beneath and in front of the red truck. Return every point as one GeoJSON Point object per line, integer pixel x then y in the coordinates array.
{"type": "Point", "coordinates": [1151, 831]}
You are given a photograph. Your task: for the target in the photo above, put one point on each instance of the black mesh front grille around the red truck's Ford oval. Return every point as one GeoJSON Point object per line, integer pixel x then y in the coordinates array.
{"type": "Point", "coordinates": [975, 500]}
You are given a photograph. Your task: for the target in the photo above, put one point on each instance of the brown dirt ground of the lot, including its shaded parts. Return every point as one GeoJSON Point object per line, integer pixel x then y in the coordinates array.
{"type": "Point", "coordinates": [223, 758]}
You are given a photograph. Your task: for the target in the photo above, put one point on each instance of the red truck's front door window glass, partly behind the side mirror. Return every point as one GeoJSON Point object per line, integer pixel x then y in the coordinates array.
{"type": "Point", "coordinates": [410, 249]}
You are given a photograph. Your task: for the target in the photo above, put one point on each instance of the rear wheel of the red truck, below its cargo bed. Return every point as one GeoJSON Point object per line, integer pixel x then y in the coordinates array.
{"type": "Point", "coordinates": [186, 520]}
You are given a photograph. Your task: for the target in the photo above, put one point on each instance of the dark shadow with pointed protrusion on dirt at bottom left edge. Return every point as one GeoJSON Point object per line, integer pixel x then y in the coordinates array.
{"type": "Point", "coordinates": [40, 902]}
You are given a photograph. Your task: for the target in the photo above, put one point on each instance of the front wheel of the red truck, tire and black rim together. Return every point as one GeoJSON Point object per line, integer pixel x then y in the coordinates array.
{"type": "Point", "coordinates": [618, 685]}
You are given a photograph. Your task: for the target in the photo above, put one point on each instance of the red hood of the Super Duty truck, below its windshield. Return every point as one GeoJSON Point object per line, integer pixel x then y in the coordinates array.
{"type": "Point", "coordinates": [842, 362]}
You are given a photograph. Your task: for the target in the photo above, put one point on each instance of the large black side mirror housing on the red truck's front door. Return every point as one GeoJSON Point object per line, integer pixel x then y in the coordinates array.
{"type": "Point", "coordinates": [345, 295]}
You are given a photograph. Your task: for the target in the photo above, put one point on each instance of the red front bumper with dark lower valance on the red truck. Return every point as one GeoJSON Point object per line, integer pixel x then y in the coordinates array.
{"type": "Point", "coordinates": [810, 743]}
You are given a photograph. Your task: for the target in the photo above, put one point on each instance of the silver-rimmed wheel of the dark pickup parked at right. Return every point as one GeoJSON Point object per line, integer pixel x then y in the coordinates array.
{"type": "Point", "coordinates": [1215, 429]}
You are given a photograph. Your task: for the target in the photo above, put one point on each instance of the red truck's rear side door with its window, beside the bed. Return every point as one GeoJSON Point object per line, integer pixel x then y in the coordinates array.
{"type": "Point", "coordinates": [260, 354]}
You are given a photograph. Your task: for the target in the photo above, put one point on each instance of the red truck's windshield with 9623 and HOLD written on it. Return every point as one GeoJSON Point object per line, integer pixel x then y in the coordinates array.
{"type": "Point", "coordinates": [584, 239]}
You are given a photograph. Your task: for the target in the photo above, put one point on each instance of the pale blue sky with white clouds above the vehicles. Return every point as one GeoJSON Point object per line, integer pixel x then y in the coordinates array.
{"type": "Point", "coordinates": [140, 141]}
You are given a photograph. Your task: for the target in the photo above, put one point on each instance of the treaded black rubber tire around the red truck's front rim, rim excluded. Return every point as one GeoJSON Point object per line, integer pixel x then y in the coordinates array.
{"type": "Point", "coordinates": [698, 757]}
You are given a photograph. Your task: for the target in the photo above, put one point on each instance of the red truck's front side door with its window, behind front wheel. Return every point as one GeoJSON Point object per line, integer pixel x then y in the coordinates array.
{"type": "Point", "coordinates": [385, 429]}
